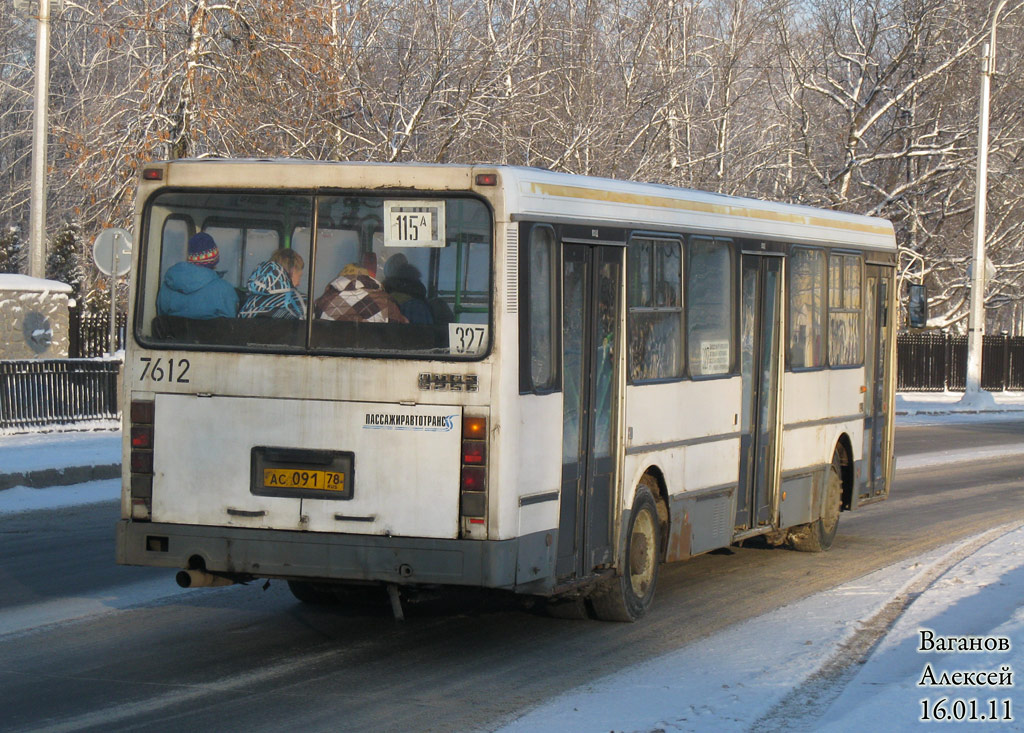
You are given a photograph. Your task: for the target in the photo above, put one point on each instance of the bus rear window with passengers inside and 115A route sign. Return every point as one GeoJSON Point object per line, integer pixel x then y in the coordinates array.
{"type": "Point", "coordinates": [366, 275]}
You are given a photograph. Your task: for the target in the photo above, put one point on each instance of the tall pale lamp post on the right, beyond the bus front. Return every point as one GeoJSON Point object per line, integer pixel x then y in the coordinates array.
{"type": "Point", "coordinates": [976, 320]}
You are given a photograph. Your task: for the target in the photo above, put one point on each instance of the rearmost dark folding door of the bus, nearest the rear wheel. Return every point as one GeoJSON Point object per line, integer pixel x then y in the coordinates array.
{"type": "Point", "coordinates": [591, 317]}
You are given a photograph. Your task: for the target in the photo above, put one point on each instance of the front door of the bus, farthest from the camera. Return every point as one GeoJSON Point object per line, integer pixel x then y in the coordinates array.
{"type": "Point", "coordinates": [879, 281]}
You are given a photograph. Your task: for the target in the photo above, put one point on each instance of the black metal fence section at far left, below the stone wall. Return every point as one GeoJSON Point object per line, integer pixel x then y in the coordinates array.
{"type": "Point", "coordinates": [37, 394]}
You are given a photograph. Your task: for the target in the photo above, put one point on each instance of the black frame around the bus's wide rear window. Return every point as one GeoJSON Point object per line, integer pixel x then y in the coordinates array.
{"type": "Point", "coordinates": [139, 301]}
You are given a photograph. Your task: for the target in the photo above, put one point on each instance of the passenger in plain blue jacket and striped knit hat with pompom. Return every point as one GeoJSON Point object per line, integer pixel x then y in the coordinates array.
{"type": "Point", "coordinates": [193, 289]}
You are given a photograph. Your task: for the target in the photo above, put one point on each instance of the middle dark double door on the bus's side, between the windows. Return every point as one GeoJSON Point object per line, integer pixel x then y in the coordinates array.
{"type": "Point", "coordinates": [761, 332]}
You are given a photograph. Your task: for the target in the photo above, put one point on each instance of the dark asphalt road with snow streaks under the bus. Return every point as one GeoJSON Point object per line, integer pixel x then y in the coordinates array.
{"type": "Point", "coordinates": [245, 659]}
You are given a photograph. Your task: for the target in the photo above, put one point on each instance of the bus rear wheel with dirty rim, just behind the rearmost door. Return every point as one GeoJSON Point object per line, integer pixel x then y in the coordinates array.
{"type": "Point", "coordinates": [628, 596]}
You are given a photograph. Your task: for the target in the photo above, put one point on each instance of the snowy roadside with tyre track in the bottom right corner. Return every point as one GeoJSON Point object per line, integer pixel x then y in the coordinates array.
{"type": "Point", "coordinates": [760, 675]}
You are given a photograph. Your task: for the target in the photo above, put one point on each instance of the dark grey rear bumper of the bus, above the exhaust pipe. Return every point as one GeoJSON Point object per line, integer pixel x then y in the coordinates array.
{"type": "Point", "coordinates": [525, 565]}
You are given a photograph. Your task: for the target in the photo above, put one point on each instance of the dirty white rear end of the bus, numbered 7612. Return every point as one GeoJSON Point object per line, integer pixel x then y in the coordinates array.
{"type": "Point", "coordinates": [329, 447]}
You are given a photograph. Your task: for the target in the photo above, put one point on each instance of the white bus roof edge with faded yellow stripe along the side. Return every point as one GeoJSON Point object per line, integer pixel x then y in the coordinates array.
{"type": "Point", "coordinates": [539, 194]}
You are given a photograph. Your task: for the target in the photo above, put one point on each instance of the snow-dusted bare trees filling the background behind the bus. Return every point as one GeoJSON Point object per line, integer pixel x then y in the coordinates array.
{"type": "Point", "coordinates": [868, 106]}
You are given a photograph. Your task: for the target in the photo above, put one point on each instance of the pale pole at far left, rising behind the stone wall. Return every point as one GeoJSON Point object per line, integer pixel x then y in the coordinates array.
{"type": "Point", "coordinates": [37, 203]}
